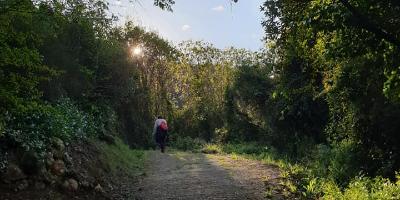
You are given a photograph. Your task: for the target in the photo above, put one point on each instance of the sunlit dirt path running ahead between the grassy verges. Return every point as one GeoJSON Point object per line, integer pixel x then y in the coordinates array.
{"type": "Point", "coordinates": [180, 175]}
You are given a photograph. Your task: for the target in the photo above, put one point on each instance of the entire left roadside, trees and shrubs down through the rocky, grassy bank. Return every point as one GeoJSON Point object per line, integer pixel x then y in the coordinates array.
{"type": "Point", "coordinates": [68, 80]}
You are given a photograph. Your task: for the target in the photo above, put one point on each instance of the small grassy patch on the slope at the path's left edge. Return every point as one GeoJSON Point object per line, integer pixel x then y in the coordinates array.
{"type": "Point", "coordinates": [120, 157]}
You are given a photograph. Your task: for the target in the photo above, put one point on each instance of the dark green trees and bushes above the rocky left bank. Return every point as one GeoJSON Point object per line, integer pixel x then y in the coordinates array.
{"type": "Point", "coordinates": [67, 72]}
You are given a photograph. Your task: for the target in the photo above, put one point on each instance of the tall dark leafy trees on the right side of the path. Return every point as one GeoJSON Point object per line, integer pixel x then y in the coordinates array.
{"type": "Point", "coordinates": [342, 58]}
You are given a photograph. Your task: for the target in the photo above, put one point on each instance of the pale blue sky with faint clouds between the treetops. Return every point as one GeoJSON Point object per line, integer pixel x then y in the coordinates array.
{"type": "Point", "coordinates": [215, 21]}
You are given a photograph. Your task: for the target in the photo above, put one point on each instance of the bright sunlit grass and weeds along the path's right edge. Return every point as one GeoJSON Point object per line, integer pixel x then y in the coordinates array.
{"type": "Point", "coordinates": [316, 177]}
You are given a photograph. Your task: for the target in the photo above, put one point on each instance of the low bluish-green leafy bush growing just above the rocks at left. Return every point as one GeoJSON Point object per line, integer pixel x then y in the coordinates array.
{"type": "Point", "coordinates": [34, 126]}
